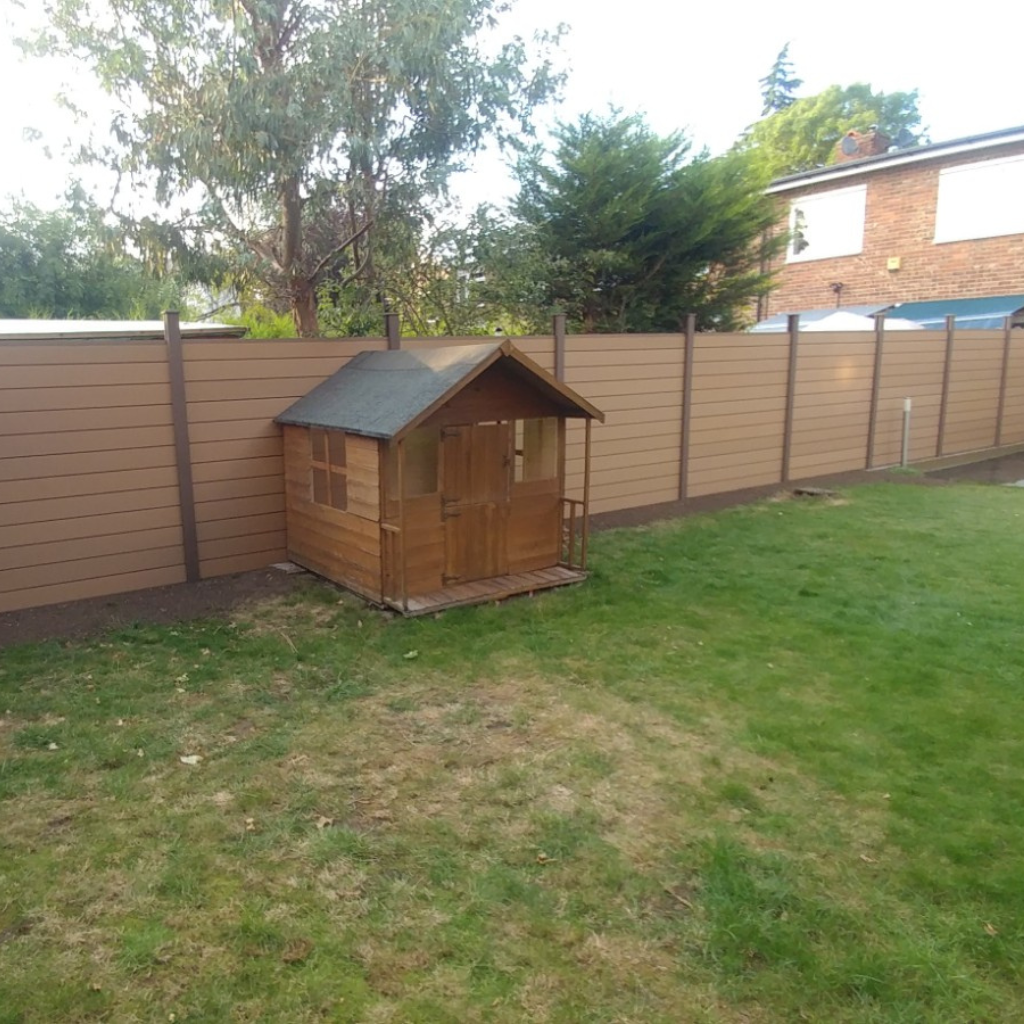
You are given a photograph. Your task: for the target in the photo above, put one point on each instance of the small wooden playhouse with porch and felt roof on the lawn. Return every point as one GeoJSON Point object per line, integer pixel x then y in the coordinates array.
{"type": "Point", "coordinates": [429, 479]}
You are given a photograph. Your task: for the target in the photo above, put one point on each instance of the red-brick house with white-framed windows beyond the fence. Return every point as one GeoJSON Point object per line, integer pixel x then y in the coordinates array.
{"type": "Point", "coordinates": [882, 227]}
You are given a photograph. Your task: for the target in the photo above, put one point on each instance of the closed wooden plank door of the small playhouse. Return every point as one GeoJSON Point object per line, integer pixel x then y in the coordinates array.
{"type": "Point", "coordinates": [477, 478]}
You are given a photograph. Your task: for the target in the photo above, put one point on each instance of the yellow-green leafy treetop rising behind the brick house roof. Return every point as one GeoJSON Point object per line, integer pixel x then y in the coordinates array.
{"type": "Point", "coordinates": [804, 135]}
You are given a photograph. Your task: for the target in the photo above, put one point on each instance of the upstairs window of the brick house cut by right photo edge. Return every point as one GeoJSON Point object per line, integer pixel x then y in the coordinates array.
{"type": "Point", "coordinates": [980, 201]}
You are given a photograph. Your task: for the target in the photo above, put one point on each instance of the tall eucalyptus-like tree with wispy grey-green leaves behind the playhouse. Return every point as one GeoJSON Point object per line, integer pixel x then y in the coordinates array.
{"type": "Point", "coordinates": [296, 126]}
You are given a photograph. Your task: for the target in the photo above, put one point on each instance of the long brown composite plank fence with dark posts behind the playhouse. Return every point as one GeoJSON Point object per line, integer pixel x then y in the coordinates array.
{"type": "Point", "coordinates": [132, 464]}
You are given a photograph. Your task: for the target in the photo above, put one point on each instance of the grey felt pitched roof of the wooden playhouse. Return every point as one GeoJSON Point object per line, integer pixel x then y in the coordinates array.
{"type": "Point", "coordinates": [387, 395]}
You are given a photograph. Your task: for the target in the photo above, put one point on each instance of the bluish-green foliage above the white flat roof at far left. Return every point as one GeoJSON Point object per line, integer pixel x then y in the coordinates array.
{"type": "Point", "coordinates": [71, 264]}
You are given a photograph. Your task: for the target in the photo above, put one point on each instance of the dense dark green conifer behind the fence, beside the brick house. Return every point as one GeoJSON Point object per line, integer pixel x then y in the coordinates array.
{"type": "Point", "coordinates": [630, 235]}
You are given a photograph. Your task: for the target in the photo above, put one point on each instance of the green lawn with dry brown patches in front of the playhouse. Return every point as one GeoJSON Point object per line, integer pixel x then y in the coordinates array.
{"type": "Point", "coordinates": [764, 766]}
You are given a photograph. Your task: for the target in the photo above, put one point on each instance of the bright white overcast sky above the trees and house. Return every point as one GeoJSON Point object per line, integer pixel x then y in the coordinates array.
{"type": "Point", "coordinates": [689, 67]}
